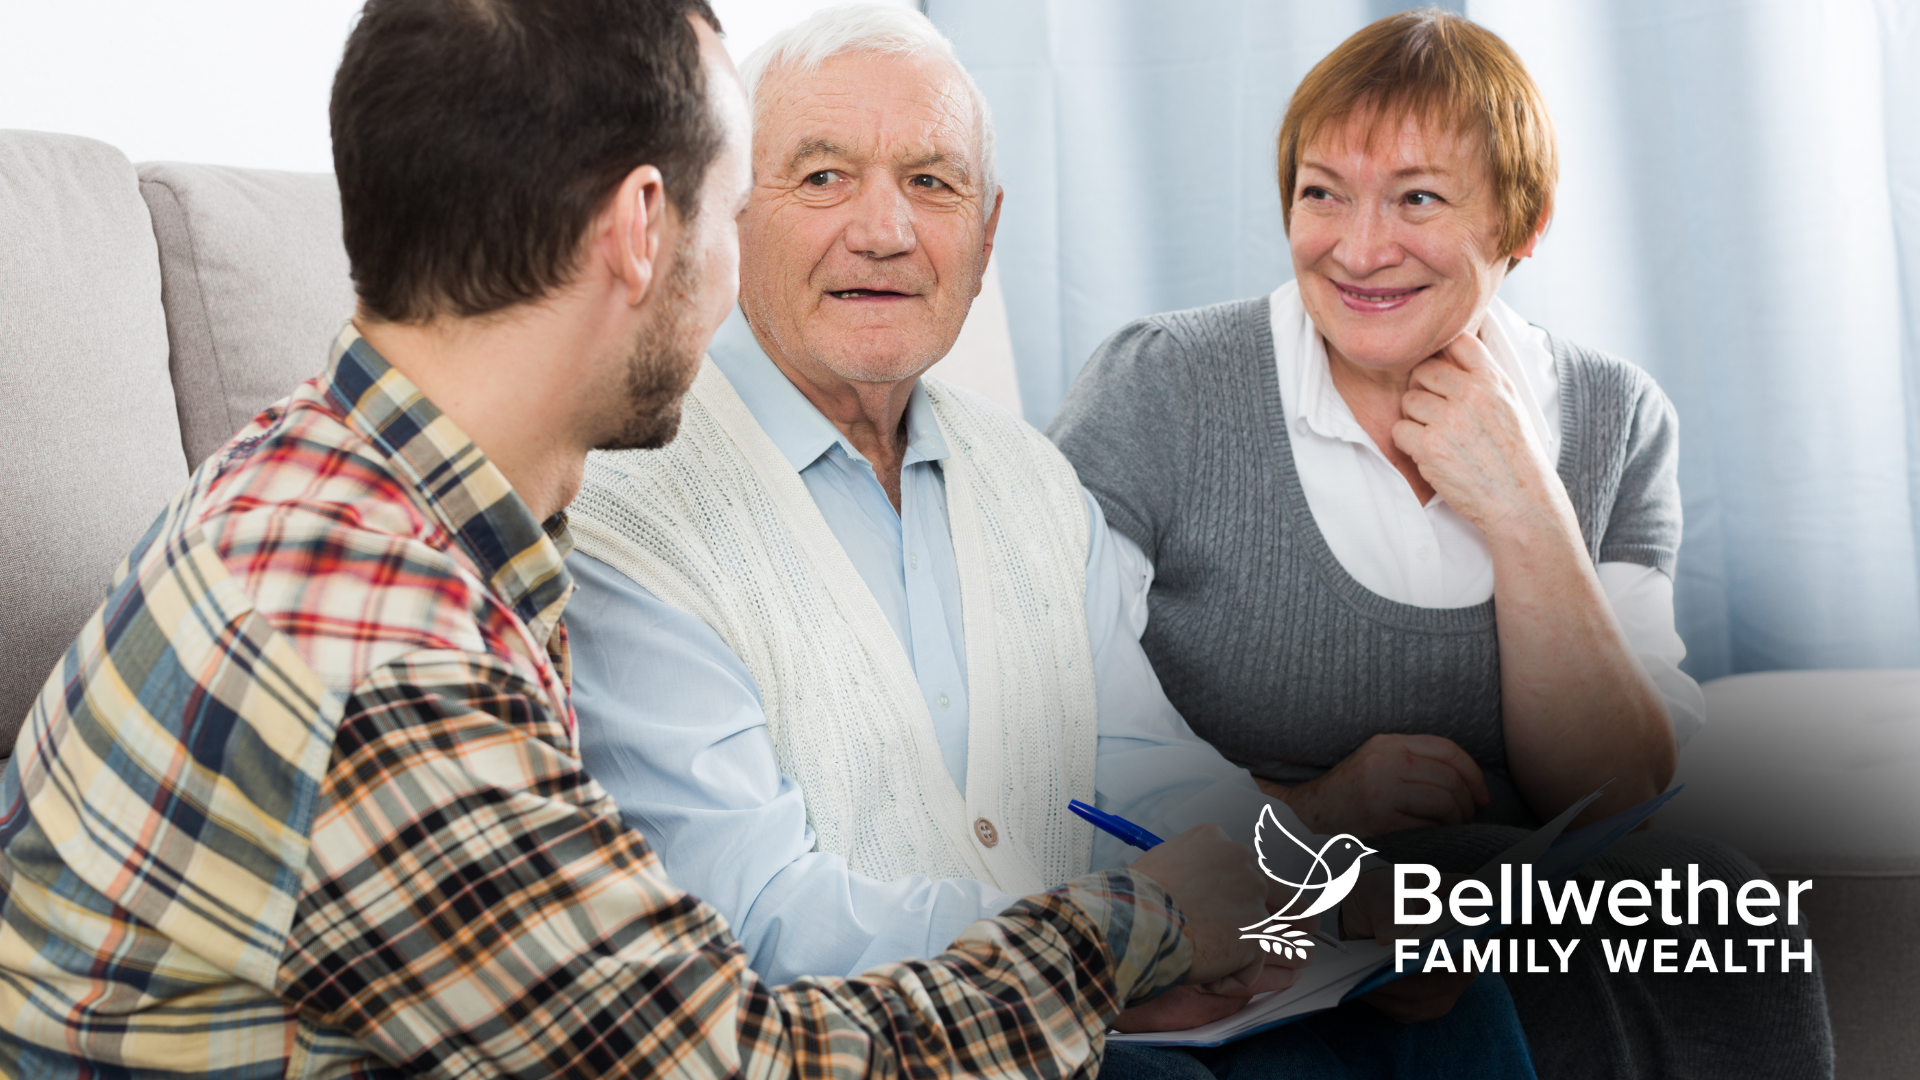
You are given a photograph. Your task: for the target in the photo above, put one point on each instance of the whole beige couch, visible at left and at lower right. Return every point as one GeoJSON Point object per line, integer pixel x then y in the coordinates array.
{"type": "Point", "coordinates": [149, 312]}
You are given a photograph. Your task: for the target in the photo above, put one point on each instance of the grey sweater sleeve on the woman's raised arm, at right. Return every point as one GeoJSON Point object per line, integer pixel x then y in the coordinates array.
{"type": "Point", "coordinates": [1644, 526]}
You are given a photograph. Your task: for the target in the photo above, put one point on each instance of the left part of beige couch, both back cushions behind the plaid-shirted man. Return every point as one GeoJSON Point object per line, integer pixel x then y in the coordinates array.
{"type": "Point", "coordinates": [145, 316]}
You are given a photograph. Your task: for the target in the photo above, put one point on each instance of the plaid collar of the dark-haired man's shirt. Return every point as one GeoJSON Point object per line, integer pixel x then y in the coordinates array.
{"type": "Point", "coordinates": [523, 560]}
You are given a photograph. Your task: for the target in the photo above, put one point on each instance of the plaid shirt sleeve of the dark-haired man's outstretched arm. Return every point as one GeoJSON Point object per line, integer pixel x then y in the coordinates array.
{"type": "Point", "coordinates": [473, 906]}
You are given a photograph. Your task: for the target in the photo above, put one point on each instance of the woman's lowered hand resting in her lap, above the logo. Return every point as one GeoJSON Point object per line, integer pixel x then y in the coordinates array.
{"type": "Point", "coordinates": [1391, 783]}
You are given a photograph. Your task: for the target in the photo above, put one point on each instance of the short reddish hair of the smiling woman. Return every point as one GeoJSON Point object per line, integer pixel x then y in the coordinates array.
{"type": "Point", "coordinates": [1454, 76]}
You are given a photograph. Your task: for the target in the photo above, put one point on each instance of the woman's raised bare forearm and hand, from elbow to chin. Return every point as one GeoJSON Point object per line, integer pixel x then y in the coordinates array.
{"type": "Point", "coordinates": [1577, 706]}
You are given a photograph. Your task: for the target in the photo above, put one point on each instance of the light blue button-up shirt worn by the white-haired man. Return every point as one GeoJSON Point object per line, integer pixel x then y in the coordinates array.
{"type": "Point", "coordinates": [671, 720]}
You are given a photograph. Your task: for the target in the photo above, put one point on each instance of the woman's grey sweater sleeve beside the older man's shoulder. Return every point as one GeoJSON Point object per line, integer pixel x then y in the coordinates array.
{"type": "Point", "coordinates": [1126, 426]}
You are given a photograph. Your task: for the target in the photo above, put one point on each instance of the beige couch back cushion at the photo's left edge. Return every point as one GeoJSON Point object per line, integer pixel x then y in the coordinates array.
{"type": "Point", "coordinates": [89, 437]}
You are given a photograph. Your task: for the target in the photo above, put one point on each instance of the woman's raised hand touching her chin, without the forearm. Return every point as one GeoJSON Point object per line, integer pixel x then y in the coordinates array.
{"type": "Point", "coordinates": [1462, 426]}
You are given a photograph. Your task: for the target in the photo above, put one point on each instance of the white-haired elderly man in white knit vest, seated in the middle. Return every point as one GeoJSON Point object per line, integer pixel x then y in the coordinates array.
{"type": "Point", "coordinates": [853, 641]}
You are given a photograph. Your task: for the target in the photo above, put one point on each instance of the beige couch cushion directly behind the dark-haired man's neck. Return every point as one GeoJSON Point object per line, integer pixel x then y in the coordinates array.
{"type": "Point", "coordinates": [256, 287]}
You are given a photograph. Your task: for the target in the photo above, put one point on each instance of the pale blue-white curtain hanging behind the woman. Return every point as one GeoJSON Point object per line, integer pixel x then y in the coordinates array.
{"type": "Point", "coordinates": [1739, 214]}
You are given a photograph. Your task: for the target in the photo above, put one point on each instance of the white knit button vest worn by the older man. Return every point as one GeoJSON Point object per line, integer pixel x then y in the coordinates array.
{"type": "Point", "coordinates": [723, 528]}
